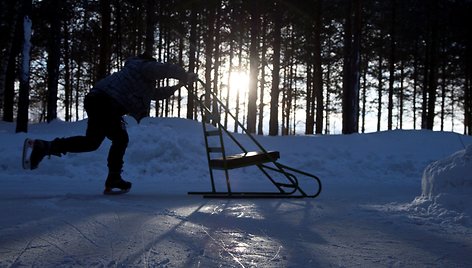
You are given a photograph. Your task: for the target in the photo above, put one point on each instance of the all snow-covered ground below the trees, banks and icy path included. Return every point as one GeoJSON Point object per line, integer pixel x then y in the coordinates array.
{"type": "Point", "coordinates": [389, 199]}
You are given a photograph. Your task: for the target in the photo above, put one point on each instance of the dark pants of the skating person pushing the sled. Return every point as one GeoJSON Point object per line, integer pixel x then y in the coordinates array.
{"type": "Point", "coordinates": [105, 119]}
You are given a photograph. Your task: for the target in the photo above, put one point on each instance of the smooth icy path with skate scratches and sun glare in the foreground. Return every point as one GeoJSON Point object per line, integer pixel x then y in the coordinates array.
{"type": "Point", "coordinates": [151, 229]}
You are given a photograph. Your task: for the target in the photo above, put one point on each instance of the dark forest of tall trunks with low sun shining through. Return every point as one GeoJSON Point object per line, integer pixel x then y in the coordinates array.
{"type": "Point", "coordinates": [283, 67]}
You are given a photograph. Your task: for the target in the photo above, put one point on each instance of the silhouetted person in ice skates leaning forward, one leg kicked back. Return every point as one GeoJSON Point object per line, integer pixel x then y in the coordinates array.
{"type": "Point", "coordinates": [128, 91]}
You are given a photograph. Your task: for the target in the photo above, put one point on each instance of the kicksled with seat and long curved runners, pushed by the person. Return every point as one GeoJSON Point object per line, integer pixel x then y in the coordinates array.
{"type": "Point", "coordinates": [284, 179]}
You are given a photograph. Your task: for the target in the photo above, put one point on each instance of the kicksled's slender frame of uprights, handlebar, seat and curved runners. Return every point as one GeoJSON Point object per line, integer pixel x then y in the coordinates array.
{"type": "Point", "coordinates": [265, 161]}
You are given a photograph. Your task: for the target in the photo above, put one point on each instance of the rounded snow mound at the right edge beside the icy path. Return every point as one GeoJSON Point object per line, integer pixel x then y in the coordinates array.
{"type": "Point", "coordinates": [447, 188]}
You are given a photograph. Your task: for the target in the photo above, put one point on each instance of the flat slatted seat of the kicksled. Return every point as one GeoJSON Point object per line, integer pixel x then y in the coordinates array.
{"type": "Point", "coordinates": [244, 160]}
